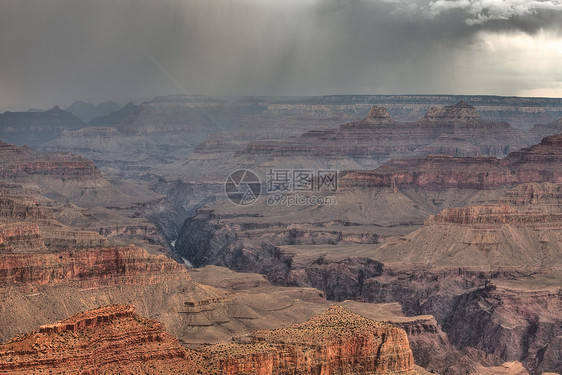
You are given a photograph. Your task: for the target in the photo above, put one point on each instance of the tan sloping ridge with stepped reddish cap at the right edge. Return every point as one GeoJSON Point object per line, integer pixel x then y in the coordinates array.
{"type": "Point", "coordinates": [487, 236]}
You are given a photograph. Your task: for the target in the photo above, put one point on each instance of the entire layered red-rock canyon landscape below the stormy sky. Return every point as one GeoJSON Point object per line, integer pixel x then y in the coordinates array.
{"type": "Point", "coordinates": [120, 252]}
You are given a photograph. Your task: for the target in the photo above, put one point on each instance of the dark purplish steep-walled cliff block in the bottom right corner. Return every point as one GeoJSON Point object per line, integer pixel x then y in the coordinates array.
{"type": "Point", "coordinates": [512, 320]}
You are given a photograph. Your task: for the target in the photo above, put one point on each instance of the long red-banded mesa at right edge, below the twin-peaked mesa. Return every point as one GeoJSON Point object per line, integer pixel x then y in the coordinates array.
{"type": "Point", "coordinates": [540, 163]}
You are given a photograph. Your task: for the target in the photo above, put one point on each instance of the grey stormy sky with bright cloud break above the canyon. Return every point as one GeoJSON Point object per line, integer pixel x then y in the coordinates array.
{"type": "Point", "coordinates": [58, 51]}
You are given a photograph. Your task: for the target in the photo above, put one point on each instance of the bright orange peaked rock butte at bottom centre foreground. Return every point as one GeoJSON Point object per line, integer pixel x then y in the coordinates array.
{"type": "Point", "coordinates": [335, 342]}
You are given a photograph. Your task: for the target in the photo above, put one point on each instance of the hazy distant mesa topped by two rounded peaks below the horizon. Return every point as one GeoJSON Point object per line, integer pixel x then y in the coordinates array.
{"type": "Point", "coordinates": [457, 130]}
